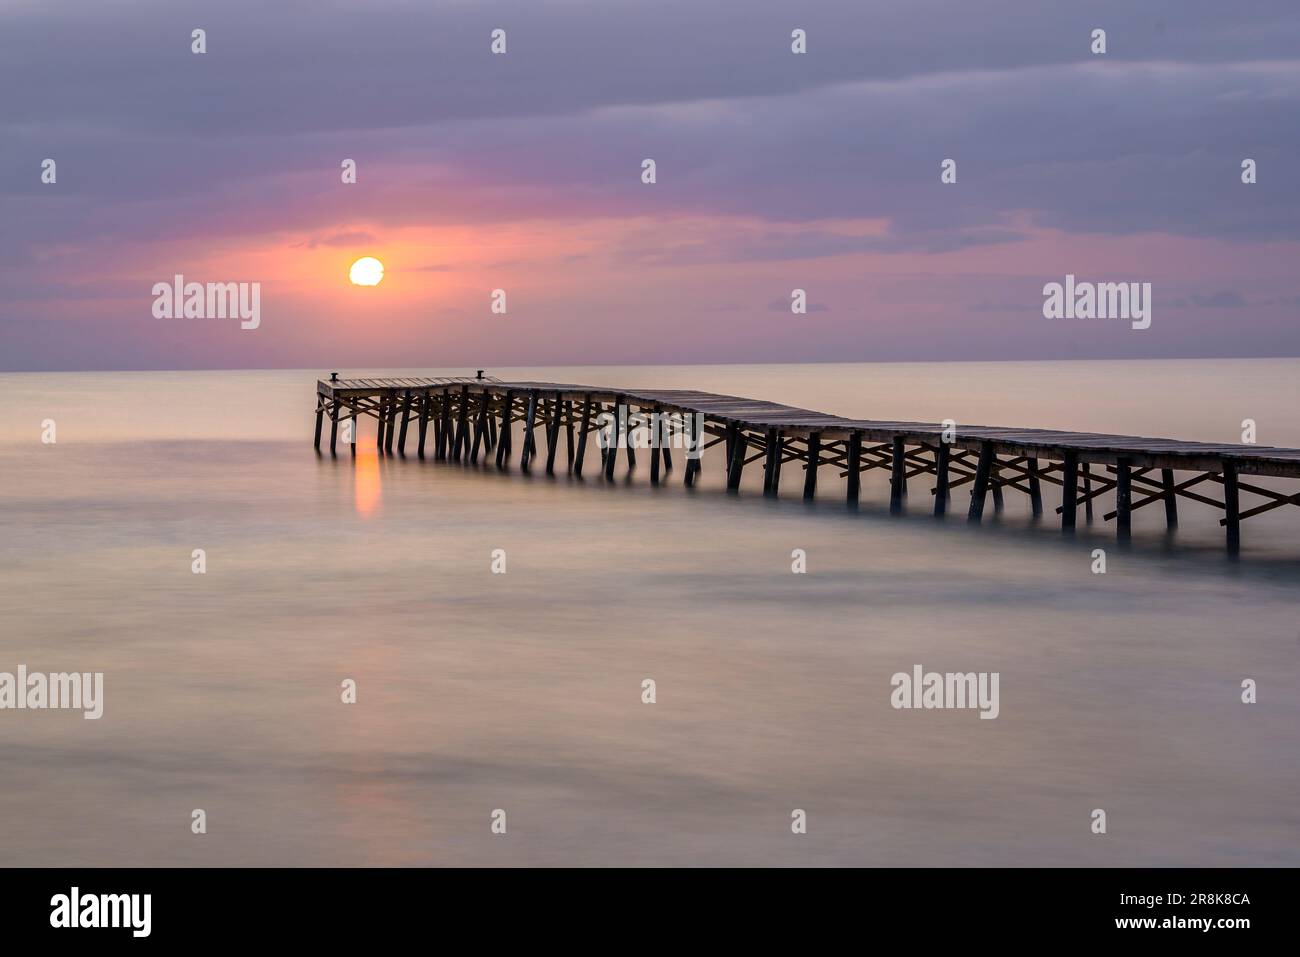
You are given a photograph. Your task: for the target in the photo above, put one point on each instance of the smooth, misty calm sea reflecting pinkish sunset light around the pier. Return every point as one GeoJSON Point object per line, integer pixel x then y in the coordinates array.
{"type": "Point", "coordinates": [523, 691]}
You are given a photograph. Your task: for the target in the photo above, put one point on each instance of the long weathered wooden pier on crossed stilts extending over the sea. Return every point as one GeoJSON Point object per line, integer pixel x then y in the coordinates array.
{"type": "Point", "coordinates": [483, 415]}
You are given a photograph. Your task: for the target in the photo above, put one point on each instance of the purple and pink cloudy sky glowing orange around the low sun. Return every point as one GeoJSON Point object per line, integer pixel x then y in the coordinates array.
{"type": "Point", "coordinates": [523, 172]}
